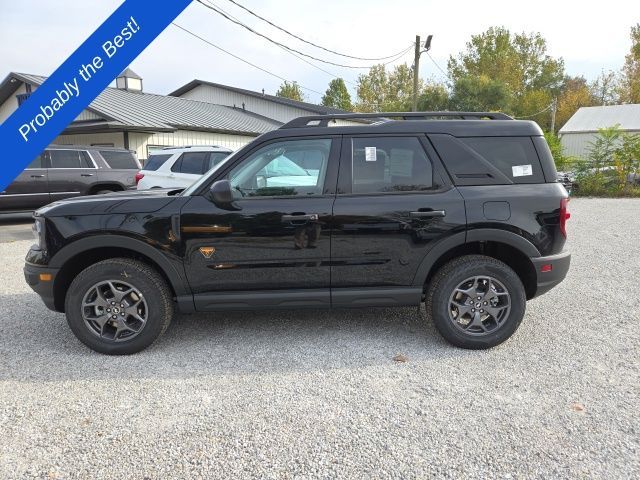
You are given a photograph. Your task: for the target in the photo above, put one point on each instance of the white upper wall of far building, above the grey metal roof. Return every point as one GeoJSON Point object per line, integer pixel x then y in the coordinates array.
{"type": "Point", "coordinates": [265, 107]}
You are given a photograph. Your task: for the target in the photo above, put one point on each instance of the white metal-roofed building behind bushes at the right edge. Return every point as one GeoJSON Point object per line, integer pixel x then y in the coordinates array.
{"type": "Point", "coordinates": [582, 127]}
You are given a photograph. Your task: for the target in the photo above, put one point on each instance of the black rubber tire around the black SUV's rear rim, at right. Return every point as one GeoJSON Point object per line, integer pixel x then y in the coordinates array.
{"type": "Point", "coordinates": [446, 282]}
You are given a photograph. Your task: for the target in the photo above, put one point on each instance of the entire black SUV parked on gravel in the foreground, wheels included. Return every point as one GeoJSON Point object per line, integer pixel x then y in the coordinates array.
{"type": "Point", "coordinates": [459, 210]}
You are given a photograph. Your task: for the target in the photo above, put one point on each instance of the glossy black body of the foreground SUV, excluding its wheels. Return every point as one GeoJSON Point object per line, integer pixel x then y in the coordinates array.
{"type": "Point", "coordinates": [340, 245]}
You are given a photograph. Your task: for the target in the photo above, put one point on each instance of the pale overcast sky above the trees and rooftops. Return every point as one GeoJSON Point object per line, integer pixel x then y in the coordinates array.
{"type": "Point", "coordinates": [37, 35]}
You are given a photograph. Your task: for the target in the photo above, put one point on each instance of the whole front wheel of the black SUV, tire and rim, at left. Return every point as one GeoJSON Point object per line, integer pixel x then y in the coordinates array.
{"type": "Point", "coordinates": [118, 306]}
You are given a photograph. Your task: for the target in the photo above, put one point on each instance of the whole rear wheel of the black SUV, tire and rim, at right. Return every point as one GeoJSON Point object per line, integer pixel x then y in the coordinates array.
{"type": "Point", "coordinates": [476, 302]}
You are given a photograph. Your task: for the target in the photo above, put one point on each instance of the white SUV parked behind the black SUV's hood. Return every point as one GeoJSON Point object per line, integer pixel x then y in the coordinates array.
{"type": "Point", "coordinates": [179, 167]}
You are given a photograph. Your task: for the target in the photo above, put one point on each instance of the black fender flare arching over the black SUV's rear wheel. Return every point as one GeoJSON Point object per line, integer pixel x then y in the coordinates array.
{"type": "Point", "coordinates": [476, 235]}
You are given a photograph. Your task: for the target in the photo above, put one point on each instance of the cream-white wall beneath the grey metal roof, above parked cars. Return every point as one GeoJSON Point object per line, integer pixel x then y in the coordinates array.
{"type": "Point", "coordinates": [142, 143]}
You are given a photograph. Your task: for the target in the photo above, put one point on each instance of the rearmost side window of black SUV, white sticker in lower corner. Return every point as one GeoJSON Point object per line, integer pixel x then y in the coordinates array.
{"type": "Point", "coordinates": [515, 157]}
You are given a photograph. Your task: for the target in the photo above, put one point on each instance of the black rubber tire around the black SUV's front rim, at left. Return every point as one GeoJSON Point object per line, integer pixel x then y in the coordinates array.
{"type": "Point", "coordinates": [145, 280]}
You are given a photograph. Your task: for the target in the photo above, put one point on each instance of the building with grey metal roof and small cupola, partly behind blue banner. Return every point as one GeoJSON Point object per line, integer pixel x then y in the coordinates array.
{"type": "Point", "coordinates": [128, 117]}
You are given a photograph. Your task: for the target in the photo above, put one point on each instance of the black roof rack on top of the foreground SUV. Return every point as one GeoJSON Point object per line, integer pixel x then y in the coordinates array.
{"type": "Point", "coordinates": [323, 120]}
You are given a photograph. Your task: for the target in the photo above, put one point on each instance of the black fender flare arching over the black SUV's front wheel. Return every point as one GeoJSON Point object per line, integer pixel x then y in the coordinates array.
{"type": "Point", "coordinates": [77, 247]}
